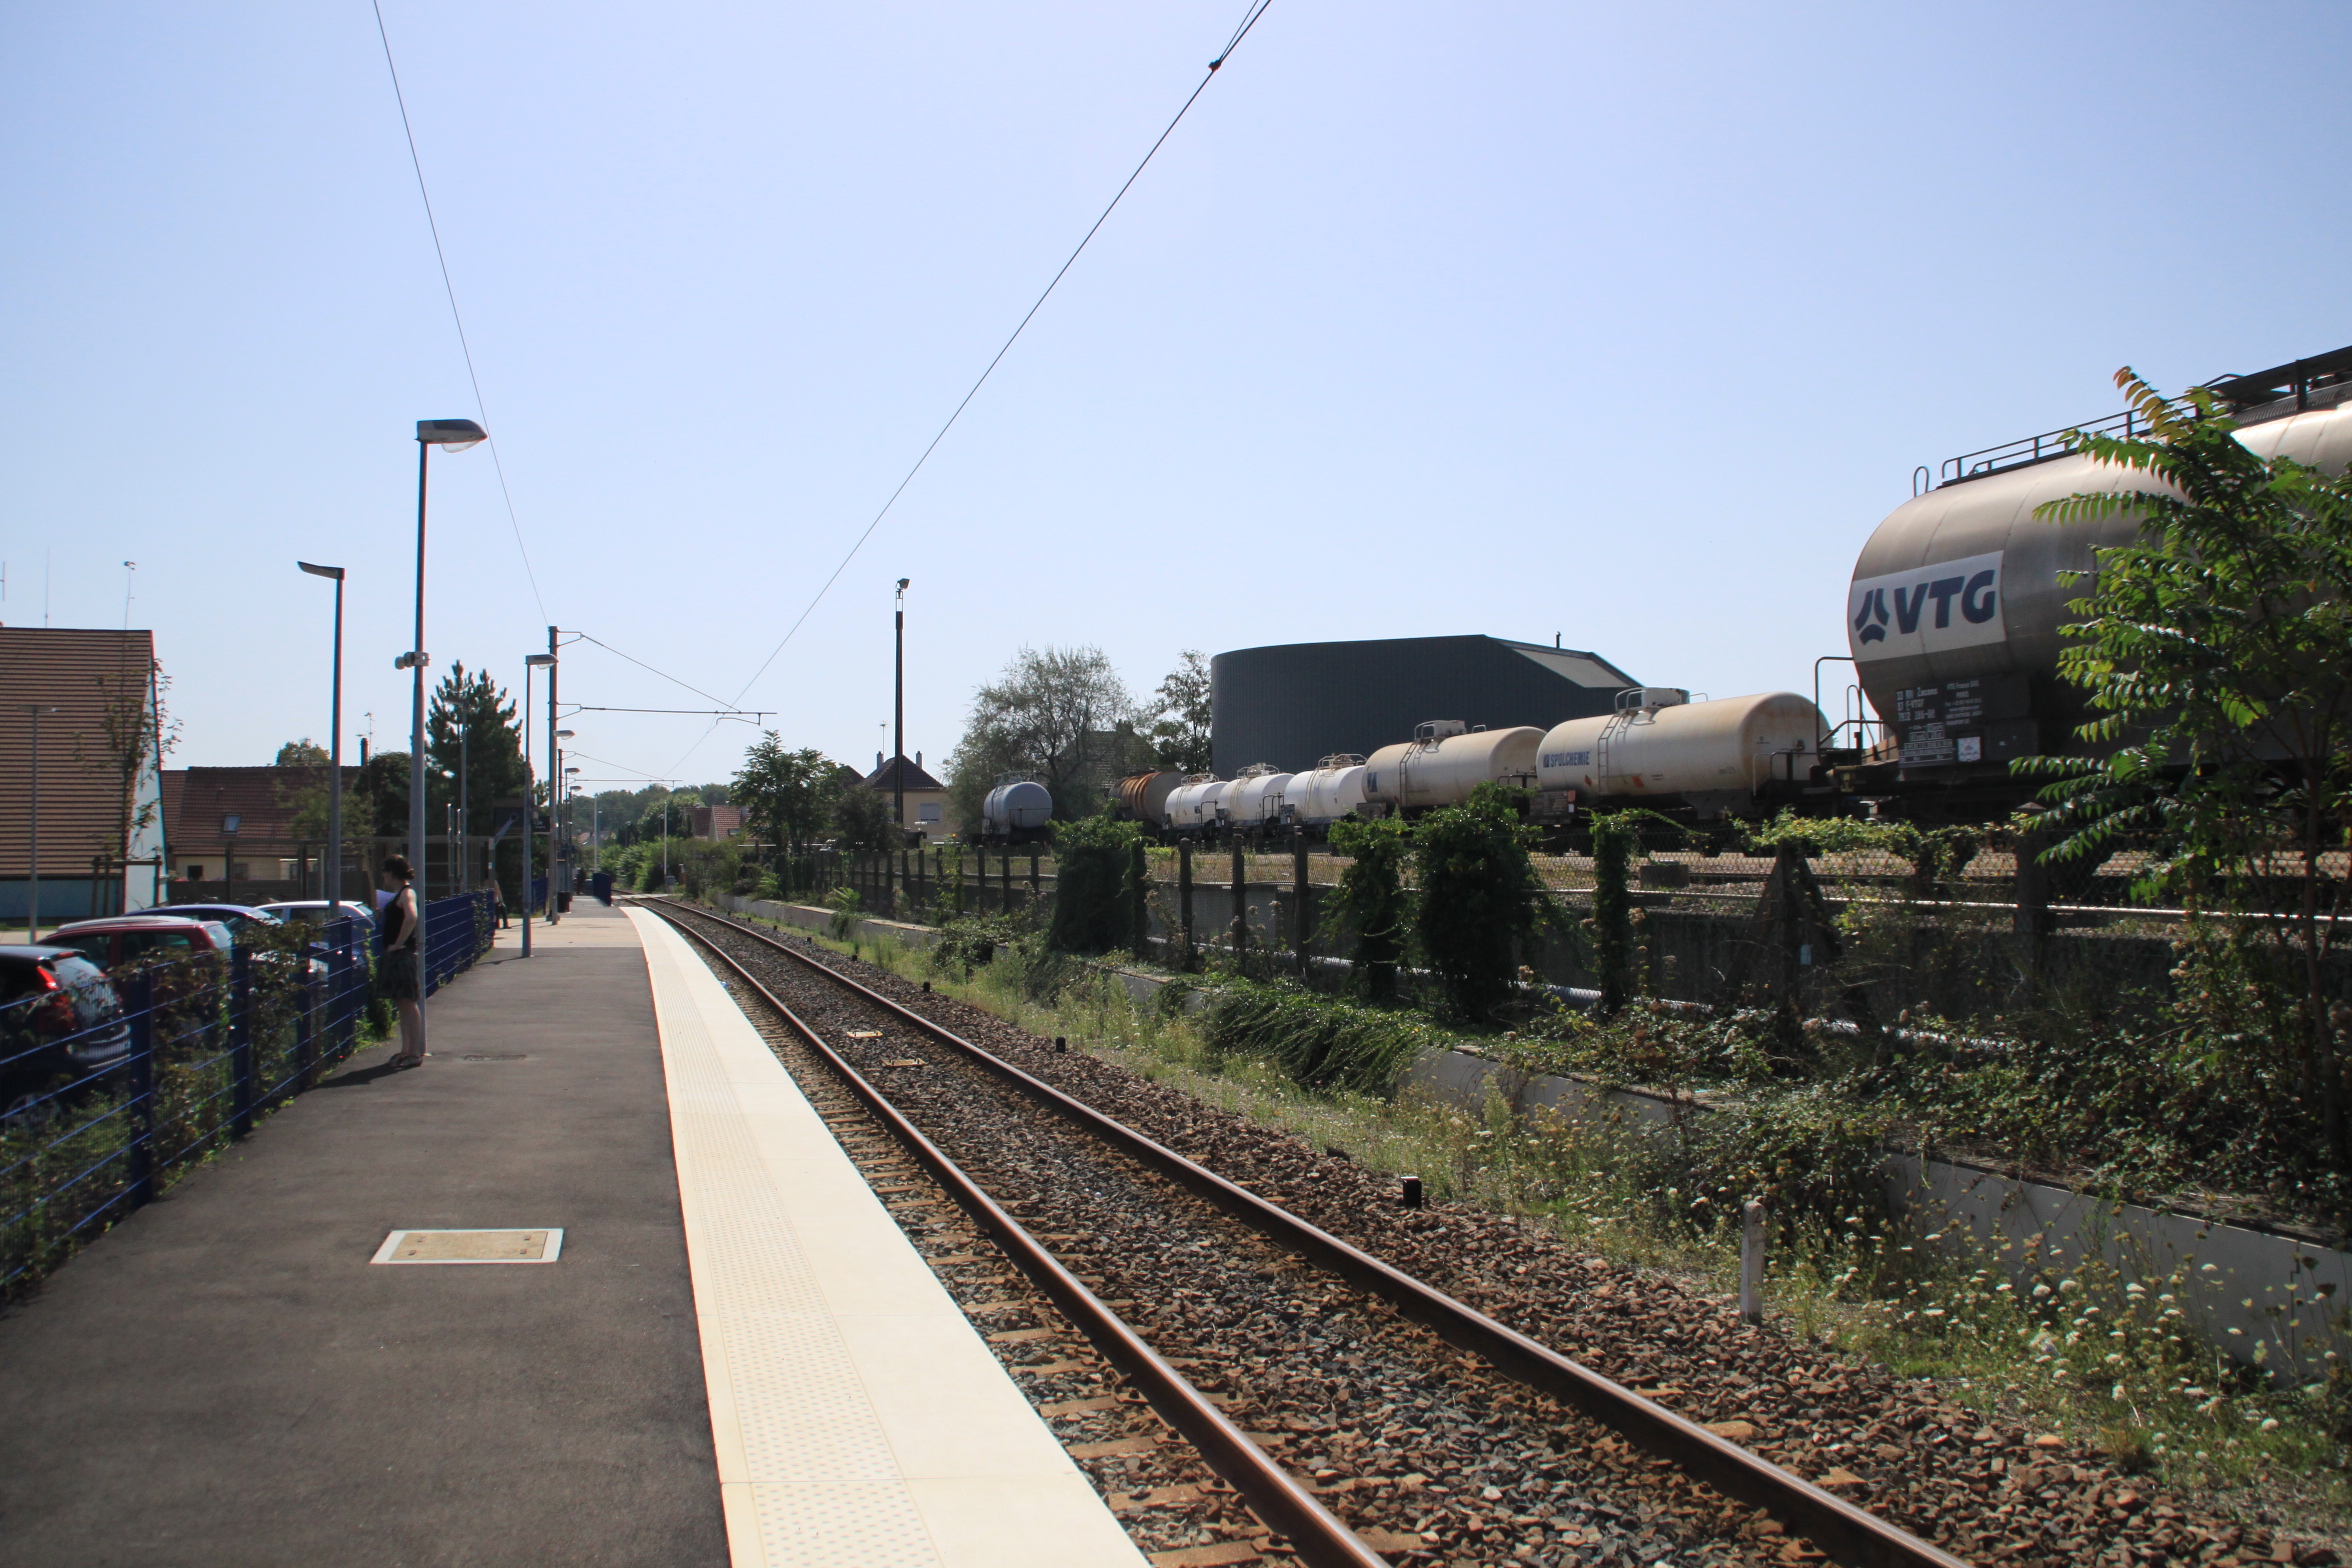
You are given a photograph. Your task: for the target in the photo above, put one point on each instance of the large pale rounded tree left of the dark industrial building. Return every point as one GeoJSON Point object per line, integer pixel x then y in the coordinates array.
{"type": "Point", "coordinates": [1057, 716]}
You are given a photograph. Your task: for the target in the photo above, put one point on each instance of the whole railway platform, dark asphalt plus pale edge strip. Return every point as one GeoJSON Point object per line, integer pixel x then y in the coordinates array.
{"type": "Point", "coordinates": [733, 1355]}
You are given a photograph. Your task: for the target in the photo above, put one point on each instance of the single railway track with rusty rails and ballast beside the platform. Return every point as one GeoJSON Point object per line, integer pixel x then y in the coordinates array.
{"type": "Point", "coordinates": [1351, 1407]}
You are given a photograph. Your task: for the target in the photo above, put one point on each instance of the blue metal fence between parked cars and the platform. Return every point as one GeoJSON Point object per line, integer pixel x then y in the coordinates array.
{"type": "Point", "coordinates": [182, 1057]}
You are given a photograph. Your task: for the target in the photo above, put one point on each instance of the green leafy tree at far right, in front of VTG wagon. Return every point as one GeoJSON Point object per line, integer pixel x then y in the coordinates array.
{"type": "Point", "coordinates": [2217, 650]}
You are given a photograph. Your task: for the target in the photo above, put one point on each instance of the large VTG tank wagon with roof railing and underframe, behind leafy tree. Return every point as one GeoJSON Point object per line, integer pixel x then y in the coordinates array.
{"type": "Point", "coordinates": [1956, 608]}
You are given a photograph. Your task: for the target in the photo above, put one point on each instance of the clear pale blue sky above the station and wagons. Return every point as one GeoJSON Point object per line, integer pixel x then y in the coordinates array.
{"type": "Point", "coordinates": [1622, 323]}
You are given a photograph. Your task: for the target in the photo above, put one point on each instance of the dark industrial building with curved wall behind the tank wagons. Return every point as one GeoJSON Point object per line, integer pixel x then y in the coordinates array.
{"type": "Point", "coordinates": [1302, 702]}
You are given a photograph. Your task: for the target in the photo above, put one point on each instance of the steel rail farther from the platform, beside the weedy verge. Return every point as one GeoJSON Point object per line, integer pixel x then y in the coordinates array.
{"type": "Point", "coordinates": [1850, 1534]}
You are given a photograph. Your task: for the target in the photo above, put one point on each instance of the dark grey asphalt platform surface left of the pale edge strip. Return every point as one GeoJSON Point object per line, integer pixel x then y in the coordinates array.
{"type": "Point", "coordinates": [225, 1379]}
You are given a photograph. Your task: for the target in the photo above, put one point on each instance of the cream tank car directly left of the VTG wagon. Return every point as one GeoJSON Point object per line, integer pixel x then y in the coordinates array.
{"type": "Point", "coordinates": [1666, 749]}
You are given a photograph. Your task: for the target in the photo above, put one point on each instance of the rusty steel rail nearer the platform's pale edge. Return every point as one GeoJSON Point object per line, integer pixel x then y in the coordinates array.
{"type": "Point", "coordinates": [1271, 1492]}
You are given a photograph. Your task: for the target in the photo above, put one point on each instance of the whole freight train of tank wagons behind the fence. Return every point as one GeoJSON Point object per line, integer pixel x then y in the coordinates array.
{"type": "Point", "coordinates": [1951, 624]}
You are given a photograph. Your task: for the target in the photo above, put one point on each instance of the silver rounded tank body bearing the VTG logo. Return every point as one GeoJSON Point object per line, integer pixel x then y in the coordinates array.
{"type": "Point", "coordinates": [1956, 603]}
